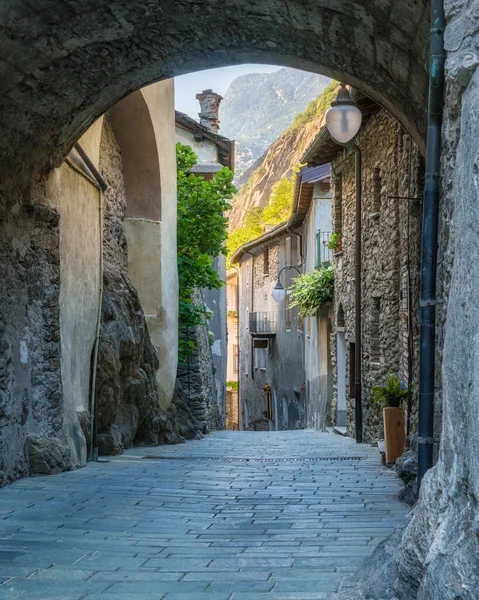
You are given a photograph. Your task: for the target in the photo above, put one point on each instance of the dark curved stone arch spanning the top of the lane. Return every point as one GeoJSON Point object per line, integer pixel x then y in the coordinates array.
{"type": "Point", "coordinates": [59, 83]}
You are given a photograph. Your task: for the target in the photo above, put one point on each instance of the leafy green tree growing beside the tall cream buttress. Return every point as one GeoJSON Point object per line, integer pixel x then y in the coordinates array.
{"type": "Point", "coordinates": [202, 232]}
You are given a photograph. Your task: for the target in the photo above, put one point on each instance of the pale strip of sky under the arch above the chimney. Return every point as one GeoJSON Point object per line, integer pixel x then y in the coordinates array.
{"type": "Point", "coordinates": [187, 86]}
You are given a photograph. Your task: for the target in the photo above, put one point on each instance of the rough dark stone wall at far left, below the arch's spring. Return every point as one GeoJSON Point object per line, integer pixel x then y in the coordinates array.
{"type": "Point", "coordinates": [31, 417]}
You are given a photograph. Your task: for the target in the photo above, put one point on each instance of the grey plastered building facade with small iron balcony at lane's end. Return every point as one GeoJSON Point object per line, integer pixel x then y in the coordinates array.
{"type": "Point", "coordinates": [271, 377]}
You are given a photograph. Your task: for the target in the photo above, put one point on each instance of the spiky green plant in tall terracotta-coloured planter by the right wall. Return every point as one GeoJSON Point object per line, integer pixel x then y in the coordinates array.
{"type": "Point", "coordinates": [390, 397]}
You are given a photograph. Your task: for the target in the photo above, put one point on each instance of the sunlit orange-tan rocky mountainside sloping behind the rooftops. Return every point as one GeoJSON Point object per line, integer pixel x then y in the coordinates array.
{"type": "Point", "coordinates": [280, 160]}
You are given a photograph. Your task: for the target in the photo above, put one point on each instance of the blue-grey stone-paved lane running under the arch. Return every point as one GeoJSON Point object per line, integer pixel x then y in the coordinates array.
{"type": "Point", "coordinates": [282, 525]}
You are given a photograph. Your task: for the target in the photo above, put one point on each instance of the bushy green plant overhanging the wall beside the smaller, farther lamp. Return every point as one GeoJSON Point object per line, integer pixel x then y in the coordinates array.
{"type": "Point", "coordinates": [312, 289]}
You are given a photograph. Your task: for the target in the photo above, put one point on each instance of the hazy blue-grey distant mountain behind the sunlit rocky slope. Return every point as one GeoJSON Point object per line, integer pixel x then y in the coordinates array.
{"type": "Point", "coordinates": [258, 107]}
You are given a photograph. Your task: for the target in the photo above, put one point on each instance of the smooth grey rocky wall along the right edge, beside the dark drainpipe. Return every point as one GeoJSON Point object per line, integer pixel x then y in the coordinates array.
{"type": "Point", "coordinates": [439, 553]}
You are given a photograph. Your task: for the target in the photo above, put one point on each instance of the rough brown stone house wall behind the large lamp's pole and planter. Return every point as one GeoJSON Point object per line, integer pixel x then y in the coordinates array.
{"type": "Point", "coordinates": [392, 189]}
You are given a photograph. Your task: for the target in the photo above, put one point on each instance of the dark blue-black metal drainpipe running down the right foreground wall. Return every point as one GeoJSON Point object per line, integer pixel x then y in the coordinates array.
{"type": "Point", "coordinates": [429, 241]}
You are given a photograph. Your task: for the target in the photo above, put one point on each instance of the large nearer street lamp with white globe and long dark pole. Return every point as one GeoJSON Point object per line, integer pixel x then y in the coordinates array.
{"type": "Point", "coordinates": [343, 121]}
